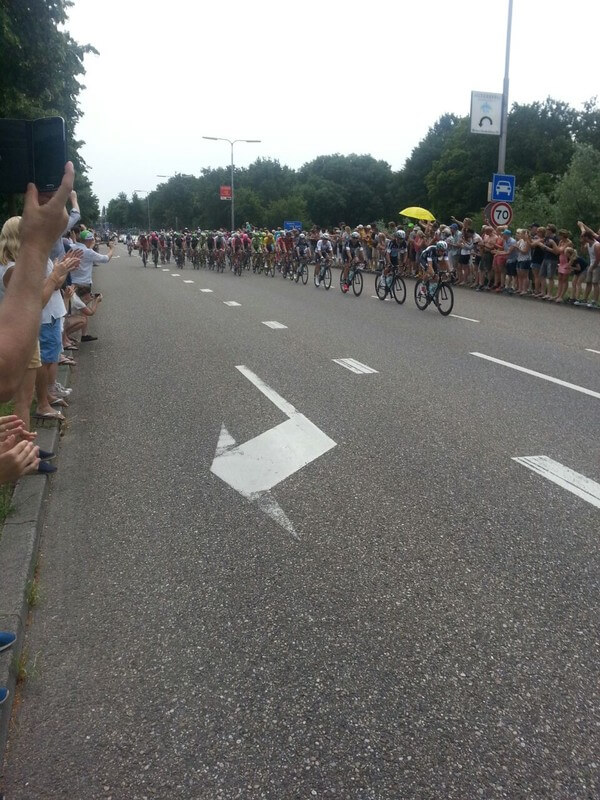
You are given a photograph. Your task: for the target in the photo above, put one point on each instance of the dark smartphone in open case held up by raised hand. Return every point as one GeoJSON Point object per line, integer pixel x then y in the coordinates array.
{"type": "Point", "coordinates": [32, 151]}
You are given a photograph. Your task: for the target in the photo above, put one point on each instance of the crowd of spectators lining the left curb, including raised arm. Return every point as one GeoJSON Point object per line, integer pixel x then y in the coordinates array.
{"type": "Point", "coordinates": [46, 259]}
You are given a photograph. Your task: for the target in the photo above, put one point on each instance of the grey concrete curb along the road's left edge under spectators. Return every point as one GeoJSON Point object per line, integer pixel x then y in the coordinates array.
{"type": "Point", "coordinates": [19, 548]}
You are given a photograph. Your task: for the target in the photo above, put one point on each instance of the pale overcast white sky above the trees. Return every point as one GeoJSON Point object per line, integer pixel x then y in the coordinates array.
{"type": "Point", "coordinates": [307, 78]}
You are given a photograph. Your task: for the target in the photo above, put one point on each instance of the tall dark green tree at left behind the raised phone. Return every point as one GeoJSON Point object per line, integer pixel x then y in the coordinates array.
{"type": "Point", "coordinates": [41, 64]}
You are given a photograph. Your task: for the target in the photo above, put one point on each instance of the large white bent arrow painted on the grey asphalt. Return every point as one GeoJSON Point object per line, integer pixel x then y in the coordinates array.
{"type": "Point", "coordinates": [256, 466]}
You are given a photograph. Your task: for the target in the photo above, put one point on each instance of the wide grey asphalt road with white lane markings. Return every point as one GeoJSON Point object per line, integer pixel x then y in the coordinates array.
{"type": "Point", "coordinates": [416, 616]}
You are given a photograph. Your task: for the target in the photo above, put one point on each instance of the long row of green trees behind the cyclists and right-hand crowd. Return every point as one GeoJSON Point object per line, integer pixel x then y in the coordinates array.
{"type": "Point", "coordinates": [553, 149]}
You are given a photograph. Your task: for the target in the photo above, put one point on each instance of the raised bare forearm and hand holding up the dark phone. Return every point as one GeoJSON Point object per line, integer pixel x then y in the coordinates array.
{"type": "Point", "coordinates": [40, 226]}
